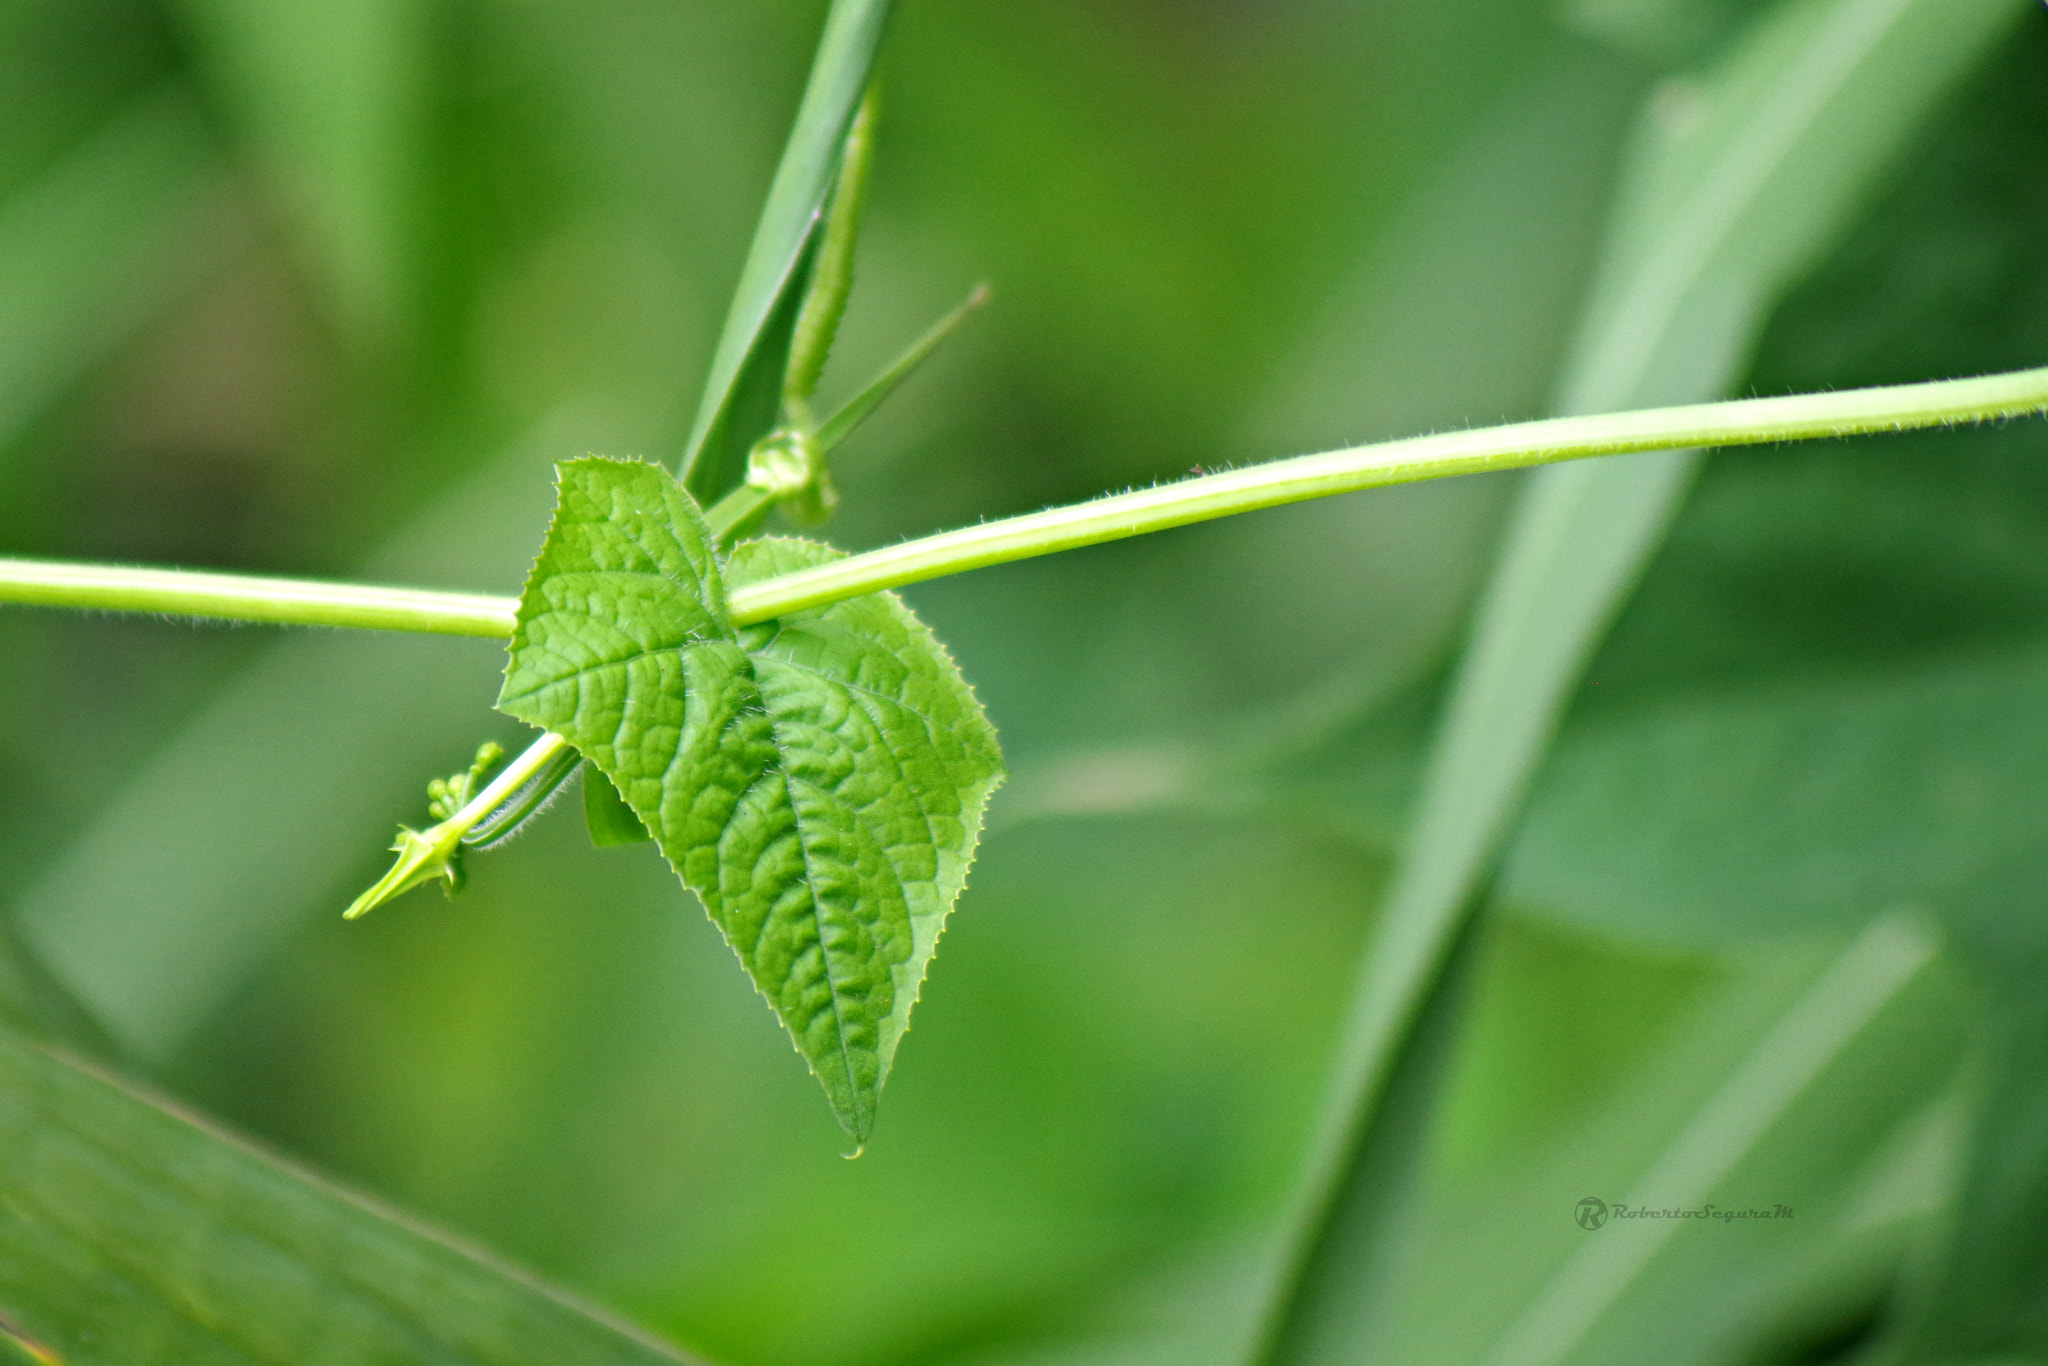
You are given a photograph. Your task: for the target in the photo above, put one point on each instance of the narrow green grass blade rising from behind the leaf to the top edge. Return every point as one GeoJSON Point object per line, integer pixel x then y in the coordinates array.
{"type": "Point", "coordinates": [746, 372]}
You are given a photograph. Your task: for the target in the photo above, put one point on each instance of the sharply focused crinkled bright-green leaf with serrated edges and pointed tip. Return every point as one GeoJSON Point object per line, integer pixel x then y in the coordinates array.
{"type": "Point", "coordinates": [818, 779]}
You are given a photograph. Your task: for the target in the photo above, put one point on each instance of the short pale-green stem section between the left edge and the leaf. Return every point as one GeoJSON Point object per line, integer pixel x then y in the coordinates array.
{"type": "Point", "coordinates": [237, 597]}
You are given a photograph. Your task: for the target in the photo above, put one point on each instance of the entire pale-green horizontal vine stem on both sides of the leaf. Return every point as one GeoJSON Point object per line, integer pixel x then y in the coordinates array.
{"type": "Point", "coordinates": [1105, 519]}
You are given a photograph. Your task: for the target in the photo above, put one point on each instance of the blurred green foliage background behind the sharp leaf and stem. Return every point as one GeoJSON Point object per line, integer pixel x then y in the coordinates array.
{"type": "Point", "coordinates": [325, 290]}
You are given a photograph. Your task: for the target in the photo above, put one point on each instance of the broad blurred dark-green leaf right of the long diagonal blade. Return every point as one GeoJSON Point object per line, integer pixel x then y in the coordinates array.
{"type": "Point", "coordinates": [1789, 810]}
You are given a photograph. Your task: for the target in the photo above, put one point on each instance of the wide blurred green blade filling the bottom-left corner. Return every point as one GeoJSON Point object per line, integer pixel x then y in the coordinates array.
{"type": "Point", "coordinates": [132, 1234]}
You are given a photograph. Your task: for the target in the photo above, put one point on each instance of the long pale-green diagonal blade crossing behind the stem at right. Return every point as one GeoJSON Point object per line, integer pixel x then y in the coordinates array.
{"type": "Point", "coordinates": [1740, 179]}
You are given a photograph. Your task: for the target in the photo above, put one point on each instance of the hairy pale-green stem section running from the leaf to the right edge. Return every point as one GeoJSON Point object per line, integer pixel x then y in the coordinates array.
{"type": "Point", "coordinates": [1398, 462]}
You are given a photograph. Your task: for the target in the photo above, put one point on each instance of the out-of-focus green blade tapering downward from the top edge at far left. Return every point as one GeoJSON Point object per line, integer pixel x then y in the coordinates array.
{"type": "Point", "coordinates": [335, 99]}
